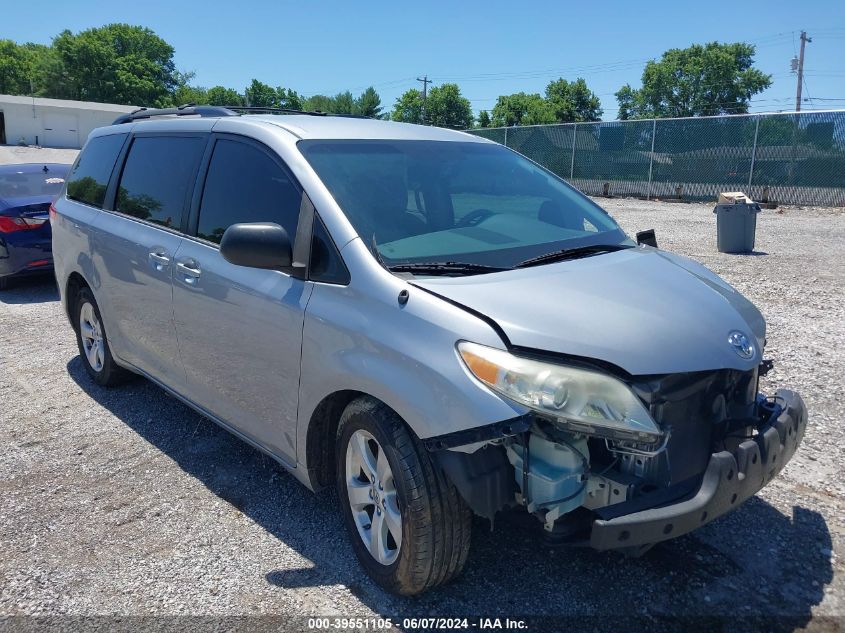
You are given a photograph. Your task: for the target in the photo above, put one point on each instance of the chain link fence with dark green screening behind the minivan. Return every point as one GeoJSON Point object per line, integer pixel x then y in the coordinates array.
{"type": "Point", "coordinates": [792, 158]}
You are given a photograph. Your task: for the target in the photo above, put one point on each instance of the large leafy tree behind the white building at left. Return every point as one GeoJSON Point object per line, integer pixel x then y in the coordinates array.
{"type": "Point", "coordinates": [116, 63]}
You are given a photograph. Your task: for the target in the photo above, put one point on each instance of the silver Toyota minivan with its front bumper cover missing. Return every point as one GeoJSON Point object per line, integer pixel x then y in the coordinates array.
{"type": "Point", "coordinates": [426, 320]}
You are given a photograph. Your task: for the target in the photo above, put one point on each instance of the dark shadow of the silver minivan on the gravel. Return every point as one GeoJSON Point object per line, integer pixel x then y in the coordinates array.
{"type": "Point", "coordinates": [754, 563]}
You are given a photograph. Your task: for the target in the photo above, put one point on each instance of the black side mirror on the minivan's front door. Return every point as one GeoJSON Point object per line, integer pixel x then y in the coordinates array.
{"type": "Point", "coordinates": [257, 245]}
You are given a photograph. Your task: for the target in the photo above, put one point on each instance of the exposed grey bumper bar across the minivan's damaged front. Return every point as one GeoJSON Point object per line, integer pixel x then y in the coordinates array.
{"type": "Point", "coordinates": [731, 478]}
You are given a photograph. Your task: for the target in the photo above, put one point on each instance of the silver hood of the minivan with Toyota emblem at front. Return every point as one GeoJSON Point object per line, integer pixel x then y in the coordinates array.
{"type": "Point", "coordinates": [645, 310]}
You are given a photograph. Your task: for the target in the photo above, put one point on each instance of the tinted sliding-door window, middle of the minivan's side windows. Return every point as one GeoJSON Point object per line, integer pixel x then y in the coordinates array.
{"type": "Point", "coordinates": [158, 174]}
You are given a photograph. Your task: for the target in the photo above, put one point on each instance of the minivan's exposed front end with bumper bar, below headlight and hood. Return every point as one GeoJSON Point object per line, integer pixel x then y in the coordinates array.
{"type": "Point", "coordinates": [721, 442]}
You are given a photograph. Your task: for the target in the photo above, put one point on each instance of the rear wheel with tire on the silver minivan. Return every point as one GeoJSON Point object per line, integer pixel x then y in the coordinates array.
{"type": "Point", "coordinates": [93, 344]}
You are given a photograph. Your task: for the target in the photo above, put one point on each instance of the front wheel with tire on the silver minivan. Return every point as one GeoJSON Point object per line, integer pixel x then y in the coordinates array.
{"type": "Point", "coordinates": [407, 523]}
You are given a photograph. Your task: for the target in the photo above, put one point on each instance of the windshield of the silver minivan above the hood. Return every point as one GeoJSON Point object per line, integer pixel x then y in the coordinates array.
{"type": "Point", "coordinates": [467, 202]}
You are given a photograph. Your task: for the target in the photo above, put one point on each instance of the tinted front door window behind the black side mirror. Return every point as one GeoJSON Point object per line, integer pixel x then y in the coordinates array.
{"type": "Point", "coordinates": [245, 185]}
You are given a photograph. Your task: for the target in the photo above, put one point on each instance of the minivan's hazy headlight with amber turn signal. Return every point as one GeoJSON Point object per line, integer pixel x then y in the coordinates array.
{"type": "Point", "coordinates": [583, 401]}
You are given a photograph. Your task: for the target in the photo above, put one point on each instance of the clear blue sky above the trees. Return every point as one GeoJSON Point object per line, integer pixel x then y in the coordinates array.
{"type": "Point", "coordinates": [488, 48]}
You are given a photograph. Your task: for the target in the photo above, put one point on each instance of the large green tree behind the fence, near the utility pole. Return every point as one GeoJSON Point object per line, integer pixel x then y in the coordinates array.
{"type": "Point", "coordinates": [696, 81]}
